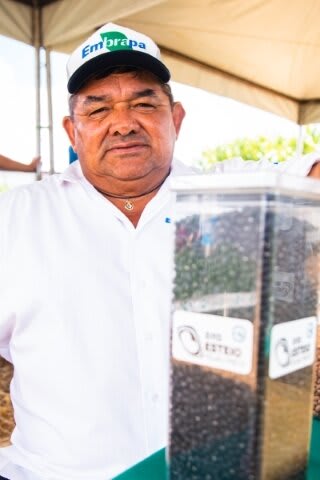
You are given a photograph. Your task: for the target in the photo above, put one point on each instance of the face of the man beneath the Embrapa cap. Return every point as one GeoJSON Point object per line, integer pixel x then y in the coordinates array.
{"type": "Point", "coordinates": [124, 129]}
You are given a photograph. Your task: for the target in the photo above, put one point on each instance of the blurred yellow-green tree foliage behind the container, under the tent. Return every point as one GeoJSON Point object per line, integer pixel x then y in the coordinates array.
{"type": "Point", "coordinates": [276, 149]}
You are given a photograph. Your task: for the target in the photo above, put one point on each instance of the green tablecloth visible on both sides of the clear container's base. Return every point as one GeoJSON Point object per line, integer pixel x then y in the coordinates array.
{"type": "Point", "coordinates": [154, 467]}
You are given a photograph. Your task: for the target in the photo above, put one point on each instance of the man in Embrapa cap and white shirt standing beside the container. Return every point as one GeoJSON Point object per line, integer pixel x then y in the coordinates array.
{"type": "Point", "coordinates": [86, 274]}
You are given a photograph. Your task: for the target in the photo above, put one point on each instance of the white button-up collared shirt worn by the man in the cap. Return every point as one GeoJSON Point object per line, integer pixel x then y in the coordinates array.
{"type": "Point", "coordinates": [85, 308]}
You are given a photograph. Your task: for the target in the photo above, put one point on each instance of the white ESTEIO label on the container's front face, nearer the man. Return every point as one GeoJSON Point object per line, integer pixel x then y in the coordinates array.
{"type": "Point", "coordinates": [214, 341]}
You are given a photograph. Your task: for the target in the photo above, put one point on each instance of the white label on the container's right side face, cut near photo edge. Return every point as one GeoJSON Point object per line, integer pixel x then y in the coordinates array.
{"type": "Point", "coordinates": [292, 346]}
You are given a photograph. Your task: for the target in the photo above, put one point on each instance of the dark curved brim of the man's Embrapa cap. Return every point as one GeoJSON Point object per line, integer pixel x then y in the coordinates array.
{"type": "Point", "coordinates": [110, 60]}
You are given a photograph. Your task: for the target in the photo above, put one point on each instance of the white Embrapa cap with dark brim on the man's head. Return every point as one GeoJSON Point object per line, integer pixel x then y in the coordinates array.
{"type": "Point", "coordinates": [113, 46]}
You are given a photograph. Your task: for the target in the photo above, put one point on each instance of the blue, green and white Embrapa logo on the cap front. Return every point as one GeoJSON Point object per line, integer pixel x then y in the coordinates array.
{"type": "Point", "coordinates": [112, 41]}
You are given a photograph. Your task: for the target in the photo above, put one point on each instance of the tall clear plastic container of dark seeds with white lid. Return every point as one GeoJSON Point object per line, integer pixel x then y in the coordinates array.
{"type": "Point", "coordinates": [244, 326]}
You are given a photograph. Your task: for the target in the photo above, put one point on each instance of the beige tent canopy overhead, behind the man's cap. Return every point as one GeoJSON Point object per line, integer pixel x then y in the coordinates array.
{"type": "Point", "coordinates": [263, 53]}
